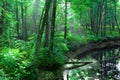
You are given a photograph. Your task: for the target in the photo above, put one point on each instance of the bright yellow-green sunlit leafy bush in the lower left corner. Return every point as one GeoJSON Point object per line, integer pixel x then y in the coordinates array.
{"type": "Point", "coordinates": [14, 62]}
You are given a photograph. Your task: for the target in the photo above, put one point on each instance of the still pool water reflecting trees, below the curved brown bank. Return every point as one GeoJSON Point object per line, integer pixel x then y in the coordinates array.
{"type": "Point", "coordinates": [107, 67]}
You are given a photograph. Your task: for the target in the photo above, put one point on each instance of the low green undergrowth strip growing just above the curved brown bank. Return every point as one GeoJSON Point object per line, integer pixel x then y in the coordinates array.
{"type": "Point", "coordinates": [74, 41]}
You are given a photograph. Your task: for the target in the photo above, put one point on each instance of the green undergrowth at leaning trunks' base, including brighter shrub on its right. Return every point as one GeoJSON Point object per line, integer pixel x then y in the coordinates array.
{"type": "Point", "coordinates": [53, 61]}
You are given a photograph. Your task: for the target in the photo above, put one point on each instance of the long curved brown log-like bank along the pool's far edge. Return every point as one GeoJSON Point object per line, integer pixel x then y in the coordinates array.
{"type": "Point", "coordinates": [81, 52]}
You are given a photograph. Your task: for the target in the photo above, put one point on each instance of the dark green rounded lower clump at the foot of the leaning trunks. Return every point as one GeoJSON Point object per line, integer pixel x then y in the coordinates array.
{"type": "Point", "coordinates": [51, 61]}
